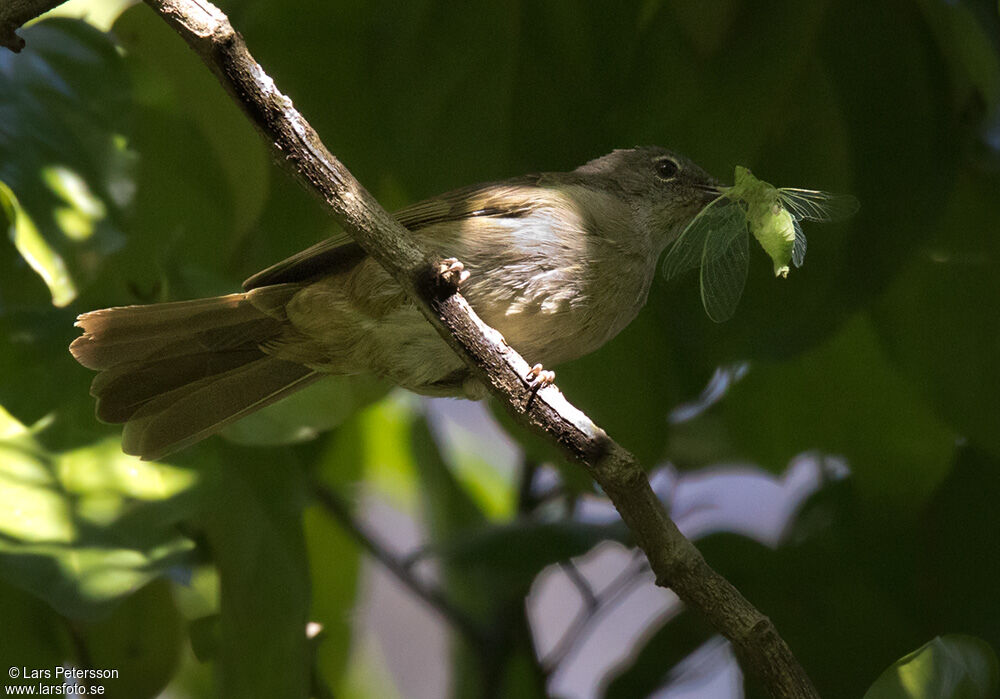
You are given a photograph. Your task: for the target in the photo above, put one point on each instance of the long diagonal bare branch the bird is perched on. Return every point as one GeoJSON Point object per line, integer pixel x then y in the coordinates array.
{"type": "Point", "coordinates": [674, 560]}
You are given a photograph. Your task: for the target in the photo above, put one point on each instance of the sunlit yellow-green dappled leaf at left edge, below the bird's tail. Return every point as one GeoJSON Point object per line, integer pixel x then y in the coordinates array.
{"type": "Point", "coordinates": [85, 528]}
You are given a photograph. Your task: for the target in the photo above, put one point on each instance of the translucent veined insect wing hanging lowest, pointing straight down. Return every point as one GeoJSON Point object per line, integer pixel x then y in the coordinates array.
{"type": "Point", "coordinates": [724, 270]}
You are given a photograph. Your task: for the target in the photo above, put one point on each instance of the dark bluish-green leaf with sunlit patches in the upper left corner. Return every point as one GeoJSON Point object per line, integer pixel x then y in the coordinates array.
{"type": "Point", "coordinates": [64, 102]}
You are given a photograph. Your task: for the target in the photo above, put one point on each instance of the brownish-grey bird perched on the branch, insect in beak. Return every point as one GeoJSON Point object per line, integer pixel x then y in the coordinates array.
{"type": "Point", "coordinates": [559, 263]}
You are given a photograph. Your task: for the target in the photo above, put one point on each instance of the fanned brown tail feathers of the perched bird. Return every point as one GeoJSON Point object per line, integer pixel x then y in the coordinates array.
{"type": "Point", "coordinates": [176, 373]}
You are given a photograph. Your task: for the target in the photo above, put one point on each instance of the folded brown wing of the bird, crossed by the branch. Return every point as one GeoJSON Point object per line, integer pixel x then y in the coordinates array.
{"type": "Point", "coordinates": [507, 199]}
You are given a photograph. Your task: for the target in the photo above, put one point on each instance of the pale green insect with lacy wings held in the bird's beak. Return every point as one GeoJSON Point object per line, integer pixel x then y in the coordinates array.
{"type": "Point", "coordinates": [716, 239]}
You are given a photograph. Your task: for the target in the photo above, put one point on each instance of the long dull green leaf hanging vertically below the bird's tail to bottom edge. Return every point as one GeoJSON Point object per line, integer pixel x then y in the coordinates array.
{"type": "Point", "coordinates": [253, 521]}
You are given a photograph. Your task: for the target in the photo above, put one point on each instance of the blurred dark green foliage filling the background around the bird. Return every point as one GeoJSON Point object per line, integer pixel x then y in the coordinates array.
{"type": "Point", "coordinates": [128, 176]}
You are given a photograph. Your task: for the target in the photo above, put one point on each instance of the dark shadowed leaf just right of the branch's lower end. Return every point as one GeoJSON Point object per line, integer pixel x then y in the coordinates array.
{"type": "Point", "coordinates": [853, 568]}
